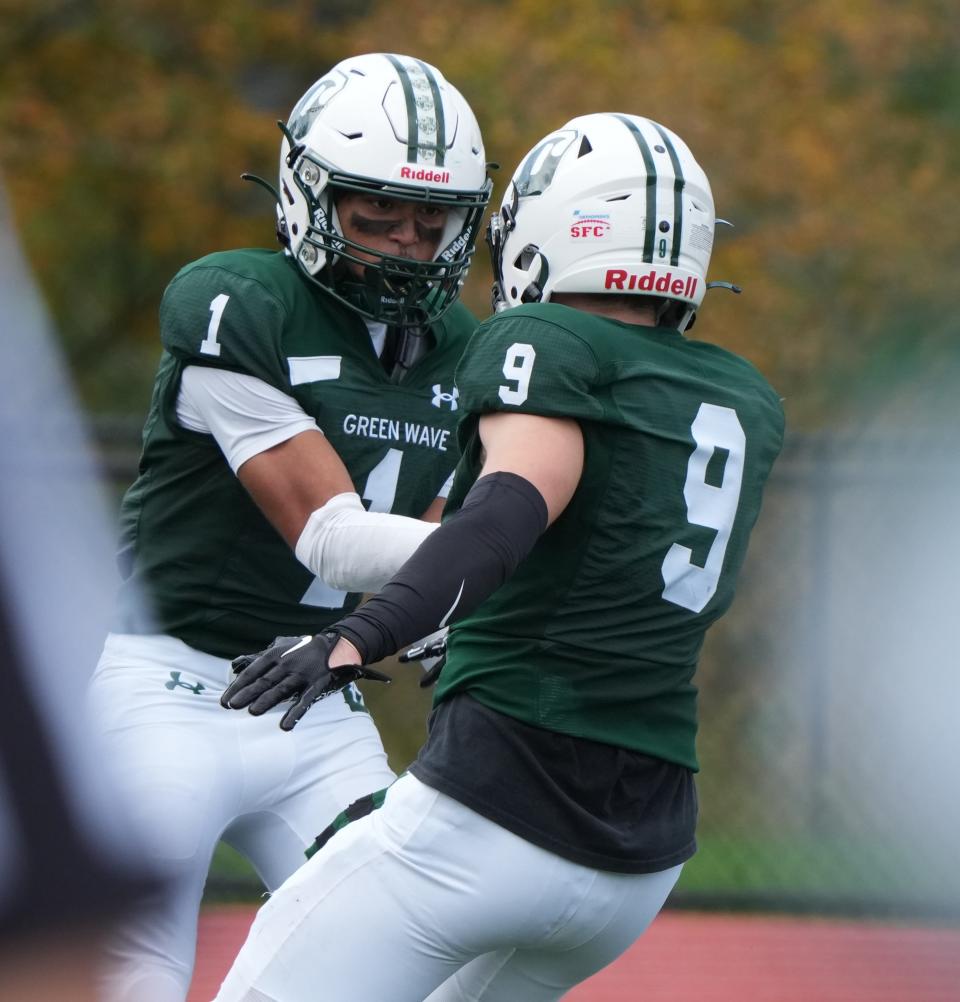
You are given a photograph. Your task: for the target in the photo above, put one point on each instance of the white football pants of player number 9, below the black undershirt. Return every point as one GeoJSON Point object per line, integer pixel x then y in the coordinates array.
{"type": "Point", "coordinates": [426, 898]}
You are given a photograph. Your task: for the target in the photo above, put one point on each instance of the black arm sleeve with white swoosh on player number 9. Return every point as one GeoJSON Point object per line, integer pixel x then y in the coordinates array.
{"type": "Point", "coordinates": [454, 570]}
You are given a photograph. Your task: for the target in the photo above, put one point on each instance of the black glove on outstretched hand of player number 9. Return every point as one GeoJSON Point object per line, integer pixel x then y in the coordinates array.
{"type": "Point", "coordinates": [292, 668]}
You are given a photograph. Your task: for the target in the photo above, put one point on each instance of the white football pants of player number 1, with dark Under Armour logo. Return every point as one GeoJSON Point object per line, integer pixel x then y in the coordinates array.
{"type": "Point", "coordinates": [196, 773]}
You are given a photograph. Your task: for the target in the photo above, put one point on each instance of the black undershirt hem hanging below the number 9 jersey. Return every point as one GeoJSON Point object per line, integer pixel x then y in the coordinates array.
{"type": "Point", "coordinates": [597, 805]}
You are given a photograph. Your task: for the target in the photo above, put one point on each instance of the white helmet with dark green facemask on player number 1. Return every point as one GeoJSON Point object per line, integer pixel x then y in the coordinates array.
{"type": "Point", "coordinates": [388, 125]}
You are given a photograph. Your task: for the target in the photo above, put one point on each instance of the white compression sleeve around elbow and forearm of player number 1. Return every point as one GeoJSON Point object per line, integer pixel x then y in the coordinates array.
{"type": "Point", "coordinates": [353, 550]}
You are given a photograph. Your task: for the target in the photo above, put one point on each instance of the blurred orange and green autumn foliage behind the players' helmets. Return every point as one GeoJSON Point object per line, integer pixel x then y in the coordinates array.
{"type": "Point", "coordinates": [831, 135]}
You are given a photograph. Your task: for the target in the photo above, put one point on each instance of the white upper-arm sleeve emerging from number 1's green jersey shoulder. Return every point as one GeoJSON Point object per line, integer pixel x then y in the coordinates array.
{"type": "Point", "coordinates": [244, 414]}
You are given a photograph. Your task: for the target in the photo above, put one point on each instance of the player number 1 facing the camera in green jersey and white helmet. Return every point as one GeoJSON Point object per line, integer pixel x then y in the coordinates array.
{"type": "Point", "coordinates": [301, 435]}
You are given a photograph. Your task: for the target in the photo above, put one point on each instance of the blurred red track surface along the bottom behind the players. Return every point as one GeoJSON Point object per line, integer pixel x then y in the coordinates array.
{"type": "Point", "coordinates": [718, 958]}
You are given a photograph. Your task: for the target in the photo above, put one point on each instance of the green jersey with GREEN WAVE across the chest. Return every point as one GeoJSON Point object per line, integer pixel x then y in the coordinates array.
{"type": "Point", "coordinates": [217, 574]}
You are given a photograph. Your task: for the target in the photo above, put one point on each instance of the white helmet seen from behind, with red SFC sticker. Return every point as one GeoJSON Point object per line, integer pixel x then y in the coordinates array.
{"type": "Point", "coordinates": [611, 204]}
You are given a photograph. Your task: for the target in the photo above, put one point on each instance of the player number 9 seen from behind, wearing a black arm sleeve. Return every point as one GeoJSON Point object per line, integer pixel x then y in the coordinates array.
{"type": "Point", "coordinates": [613, 469]}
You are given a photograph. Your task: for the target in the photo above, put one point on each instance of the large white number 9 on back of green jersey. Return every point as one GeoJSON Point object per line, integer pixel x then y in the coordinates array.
{"type": "Point", "coordinates": [714, 428]}
